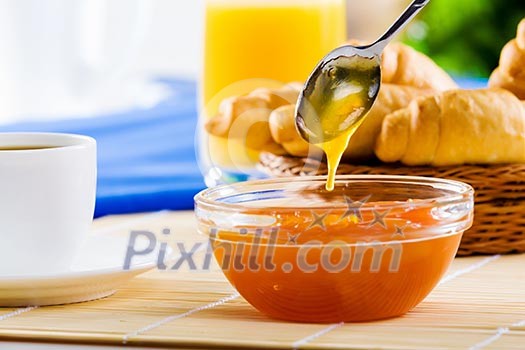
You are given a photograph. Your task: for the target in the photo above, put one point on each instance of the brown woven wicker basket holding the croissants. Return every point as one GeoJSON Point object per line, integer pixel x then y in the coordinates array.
{"type": "Point", "coordinates": [499, 214]}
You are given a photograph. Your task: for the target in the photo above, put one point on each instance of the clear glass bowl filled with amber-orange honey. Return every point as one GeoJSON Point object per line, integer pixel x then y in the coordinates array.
{"type": "Point", "coordinates": [371, 249]}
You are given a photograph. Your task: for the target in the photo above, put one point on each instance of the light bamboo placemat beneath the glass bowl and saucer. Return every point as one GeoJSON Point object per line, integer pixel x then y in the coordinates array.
{"type": "Point", "coordinates": [480, 304]}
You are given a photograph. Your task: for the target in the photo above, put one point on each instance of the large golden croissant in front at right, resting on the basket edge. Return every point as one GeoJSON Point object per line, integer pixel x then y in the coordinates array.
{"type": "Point", "coordinates": [456, 127]}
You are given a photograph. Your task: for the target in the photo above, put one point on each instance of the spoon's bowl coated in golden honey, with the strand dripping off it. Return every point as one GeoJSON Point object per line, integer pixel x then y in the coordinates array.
{"type": "Point", "coordinates": [334, 105]}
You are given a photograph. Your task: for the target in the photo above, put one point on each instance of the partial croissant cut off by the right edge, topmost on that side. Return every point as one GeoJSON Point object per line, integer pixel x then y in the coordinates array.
{"type": "Point", "coordinates": [510, 74]}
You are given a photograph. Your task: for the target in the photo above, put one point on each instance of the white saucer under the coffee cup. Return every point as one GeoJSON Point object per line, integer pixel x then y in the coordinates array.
{"type": "Point", "coordinates": [96, 273]}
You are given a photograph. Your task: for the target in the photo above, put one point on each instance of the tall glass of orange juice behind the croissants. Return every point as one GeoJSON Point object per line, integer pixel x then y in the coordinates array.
{"type": "Point", "coordinates": [250, 44]}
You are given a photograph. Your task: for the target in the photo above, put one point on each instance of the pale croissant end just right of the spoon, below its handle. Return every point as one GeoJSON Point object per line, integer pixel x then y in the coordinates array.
{"type": "Point", "coordinates": [403, 65]}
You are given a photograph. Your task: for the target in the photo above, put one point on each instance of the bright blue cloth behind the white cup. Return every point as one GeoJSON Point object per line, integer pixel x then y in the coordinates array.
{"type": "Point", "coordinates": [146, 158]}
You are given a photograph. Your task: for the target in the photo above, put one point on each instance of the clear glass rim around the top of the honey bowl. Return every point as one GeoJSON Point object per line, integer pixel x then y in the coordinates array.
{"type": "Point", "coordinates": [463, 192]}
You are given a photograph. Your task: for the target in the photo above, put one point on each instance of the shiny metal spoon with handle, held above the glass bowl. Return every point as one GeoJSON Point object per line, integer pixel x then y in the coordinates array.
{"type": "Point", "coordinates": [344, 85]}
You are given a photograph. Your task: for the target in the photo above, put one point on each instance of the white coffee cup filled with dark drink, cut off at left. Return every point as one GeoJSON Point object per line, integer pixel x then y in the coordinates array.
{"type": "Point", "coordinates": [47, 200]}
